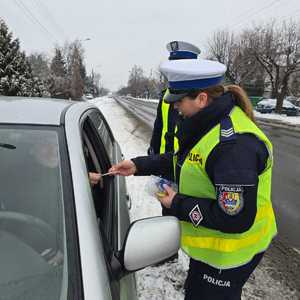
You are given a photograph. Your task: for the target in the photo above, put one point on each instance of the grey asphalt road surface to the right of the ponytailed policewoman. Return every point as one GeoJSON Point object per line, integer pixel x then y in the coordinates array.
{"type": "Point", "coordinates": [286, 182]}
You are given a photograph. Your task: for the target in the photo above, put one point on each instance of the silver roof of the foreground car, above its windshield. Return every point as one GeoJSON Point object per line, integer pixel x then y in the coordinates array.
{"type": "Point", "coordinates": [31, 110]}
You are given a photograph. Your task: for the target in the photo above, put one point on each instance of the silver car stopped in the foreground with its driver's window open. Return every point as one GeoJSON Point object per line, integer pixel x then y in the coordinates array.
{"type": "Point", "coordinates": [60, 236]}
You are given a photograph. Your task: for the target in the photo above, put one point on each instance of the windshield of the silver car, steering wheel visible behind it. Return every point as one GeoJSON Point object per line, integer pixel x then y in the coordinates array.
{"type": "Point", "coordinates": [33, 258]}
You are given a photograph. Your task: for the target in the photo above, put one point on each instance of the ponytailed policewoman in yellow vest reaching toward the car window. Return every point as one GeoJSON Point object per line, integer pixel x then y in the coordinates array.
{"type": "Point", "coordinates": [223, 169]}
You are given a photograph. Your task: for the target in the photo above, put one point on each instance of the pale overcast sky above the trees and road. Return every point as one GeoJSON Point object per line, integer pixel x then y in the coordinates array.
{"type": "Point", "coordinates": [127, 32]}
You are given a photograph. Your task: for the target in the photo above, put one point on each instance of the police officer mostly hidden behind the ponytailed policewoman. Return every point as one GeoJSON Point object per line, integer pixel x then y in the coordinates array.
{"type": "Point", "coordinates": [163, 139]}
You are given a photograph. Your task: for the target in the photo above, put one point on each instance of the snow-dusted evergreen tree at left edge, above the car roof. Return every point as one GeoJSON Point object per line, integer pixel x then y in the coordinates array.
{"type": "Point", "coordinates": [16, 78]}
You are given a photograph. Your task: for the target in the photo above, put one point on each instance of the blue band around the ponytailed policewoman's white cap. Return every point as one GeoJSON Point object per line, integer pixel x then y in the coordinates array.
{"type": "Point", "coordinates": [195, 84]}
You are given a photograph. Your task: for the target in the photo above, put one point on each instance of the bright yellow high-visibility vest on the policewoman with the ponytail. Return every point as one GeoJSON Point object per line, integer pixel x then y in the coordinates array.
{"type": "Point", "coordinates": [218, 249]}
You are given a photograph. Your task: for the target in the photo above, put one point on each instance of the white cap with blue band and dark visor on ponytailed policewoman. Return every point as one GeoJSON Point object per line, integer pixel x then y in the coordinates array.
{"type": "Point", "coordinates": [191, 74]}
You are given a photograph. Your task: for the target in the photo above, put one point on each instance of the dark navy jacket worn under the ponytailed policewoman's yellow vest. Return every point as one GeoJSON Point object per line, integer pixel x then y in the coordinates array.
{"type": "Point", "coordinates": [237, 163]}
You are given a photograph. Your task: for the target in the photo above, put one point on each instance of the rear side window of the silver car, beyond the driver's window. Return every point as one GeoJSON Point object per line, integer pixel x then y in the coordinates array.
{"type": "Point", "coordinates": [104, 131]}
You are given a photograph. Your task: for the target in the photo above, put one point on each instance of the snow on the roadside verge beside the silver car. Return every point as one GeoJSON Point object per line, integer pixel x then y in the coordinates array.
{"type": "Point", "coordinates": [166, 281]}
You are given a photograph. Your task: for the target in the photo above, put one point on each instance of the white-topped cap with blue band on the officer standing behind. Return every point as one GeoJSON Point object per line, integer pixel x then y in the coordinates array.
{"type": "Point", "coordinates": [182, 50]}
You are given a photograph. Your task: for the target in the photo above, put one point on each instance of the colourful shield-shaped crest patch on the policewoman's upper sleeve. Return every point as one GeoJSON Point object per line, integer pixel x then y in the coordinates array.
{"type": "Point", "coordinates": [230, 198]}
